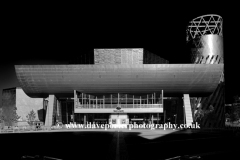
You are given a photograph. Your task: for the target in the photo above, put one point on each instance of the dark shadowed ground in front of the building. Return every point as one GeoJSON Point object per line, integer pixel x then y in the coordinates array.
{"type": "Point", "coordinates": [120, 144]}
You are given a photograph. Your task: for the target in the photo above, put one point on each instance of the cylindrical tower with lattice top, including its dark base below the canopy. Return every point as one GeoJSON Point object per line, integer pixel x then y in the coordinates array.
{"type": "Point", "coordinates": [205, 41]}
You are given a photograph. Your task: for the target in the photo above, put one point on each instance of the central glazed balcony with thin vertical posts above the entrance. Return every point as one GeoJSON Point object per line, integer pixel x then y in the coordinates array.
{"type": "Point", "coordinates": [114, 100]}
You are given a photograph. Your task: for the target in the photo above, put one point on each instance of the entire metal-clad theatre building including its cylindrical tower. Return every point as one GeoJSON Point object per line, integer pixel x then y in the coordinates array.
{"type": "Point", "coordinates": [131, 85]}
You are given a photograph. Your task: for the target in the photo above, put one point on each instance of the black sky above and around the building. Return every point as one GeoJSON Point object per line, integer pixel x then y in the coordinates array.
{"type": "Point", "coordinates": [40, 37]}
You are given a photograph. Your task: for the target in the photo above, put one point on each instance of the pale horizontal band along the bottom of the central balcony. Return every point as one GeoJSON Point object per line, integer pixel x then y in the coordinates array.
{"type": "Point", "coordinates": [107, 106]}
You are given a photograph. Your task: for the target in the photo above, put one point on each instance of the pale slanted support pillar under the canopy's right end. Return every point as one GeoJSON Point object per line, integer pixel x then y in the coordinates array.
{"type": "Point", "coordinates": [188, 110]}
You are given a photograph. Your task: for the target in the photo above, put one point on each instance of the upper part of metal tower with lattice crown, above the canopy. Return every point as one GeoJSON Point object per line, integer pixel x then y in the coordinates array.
{"type": "Point", "coordinates": [204, 34]}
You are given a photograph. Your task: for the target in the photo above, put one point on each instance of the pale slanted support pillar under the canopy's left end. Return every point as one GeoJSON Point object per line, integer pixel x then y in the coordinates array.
{"type": "Point", "coordinates": [49, 114]}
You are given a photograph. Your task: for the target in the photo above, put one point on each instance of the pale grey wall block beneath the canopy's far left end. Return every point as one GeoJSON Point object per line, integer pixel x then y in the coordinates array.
{"type": "Point", "coordinates": [25, 104]}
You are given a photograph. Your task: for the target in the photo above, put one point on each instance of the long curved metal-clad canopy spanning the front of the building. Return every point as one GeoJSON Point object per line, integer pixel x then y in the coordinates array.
{"type": "Point", "coordinates": [39, 80]}
